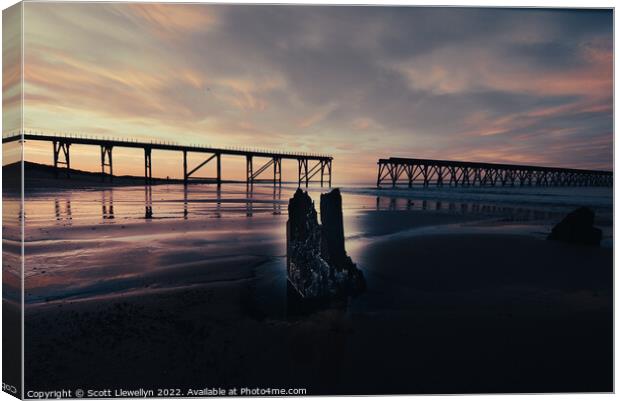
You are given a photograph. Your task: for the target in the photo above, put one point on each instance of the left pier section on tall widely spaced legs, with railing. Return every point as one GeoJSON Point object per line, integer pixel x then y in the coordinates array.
{"type": "Point", "coordinates": [311, 167]}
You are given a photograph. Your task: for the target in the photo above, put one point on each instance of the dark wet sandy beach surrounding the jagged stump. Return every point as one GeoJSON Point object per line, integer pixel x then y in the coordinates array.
{"type": "Point", "coordinates": [463, 296]}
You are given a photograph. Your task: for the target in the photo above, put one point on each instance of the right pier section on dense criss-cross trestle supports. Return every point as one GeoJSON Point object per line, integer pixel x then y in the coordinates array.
{"type": "Point", "coordinates": [396, 171]}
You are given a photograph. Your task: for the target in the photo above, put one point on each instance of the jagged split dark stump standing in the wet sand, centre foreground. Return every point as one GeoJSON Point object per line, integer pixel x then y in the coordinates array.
{"type": "Point", "coordinates": [317, 263]}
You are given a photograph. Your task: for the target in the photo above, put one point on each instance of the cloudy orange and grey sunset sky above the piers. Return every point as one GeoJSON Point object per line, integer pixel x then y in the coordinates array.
{"type": "Point", "coordinates": [360, 83]}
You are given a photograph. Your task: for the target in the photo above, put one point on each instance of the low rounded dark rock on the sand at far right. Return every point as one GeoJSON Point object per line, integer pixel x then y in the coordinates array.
{"type": "Point", "coordinates": [577, 228]}
